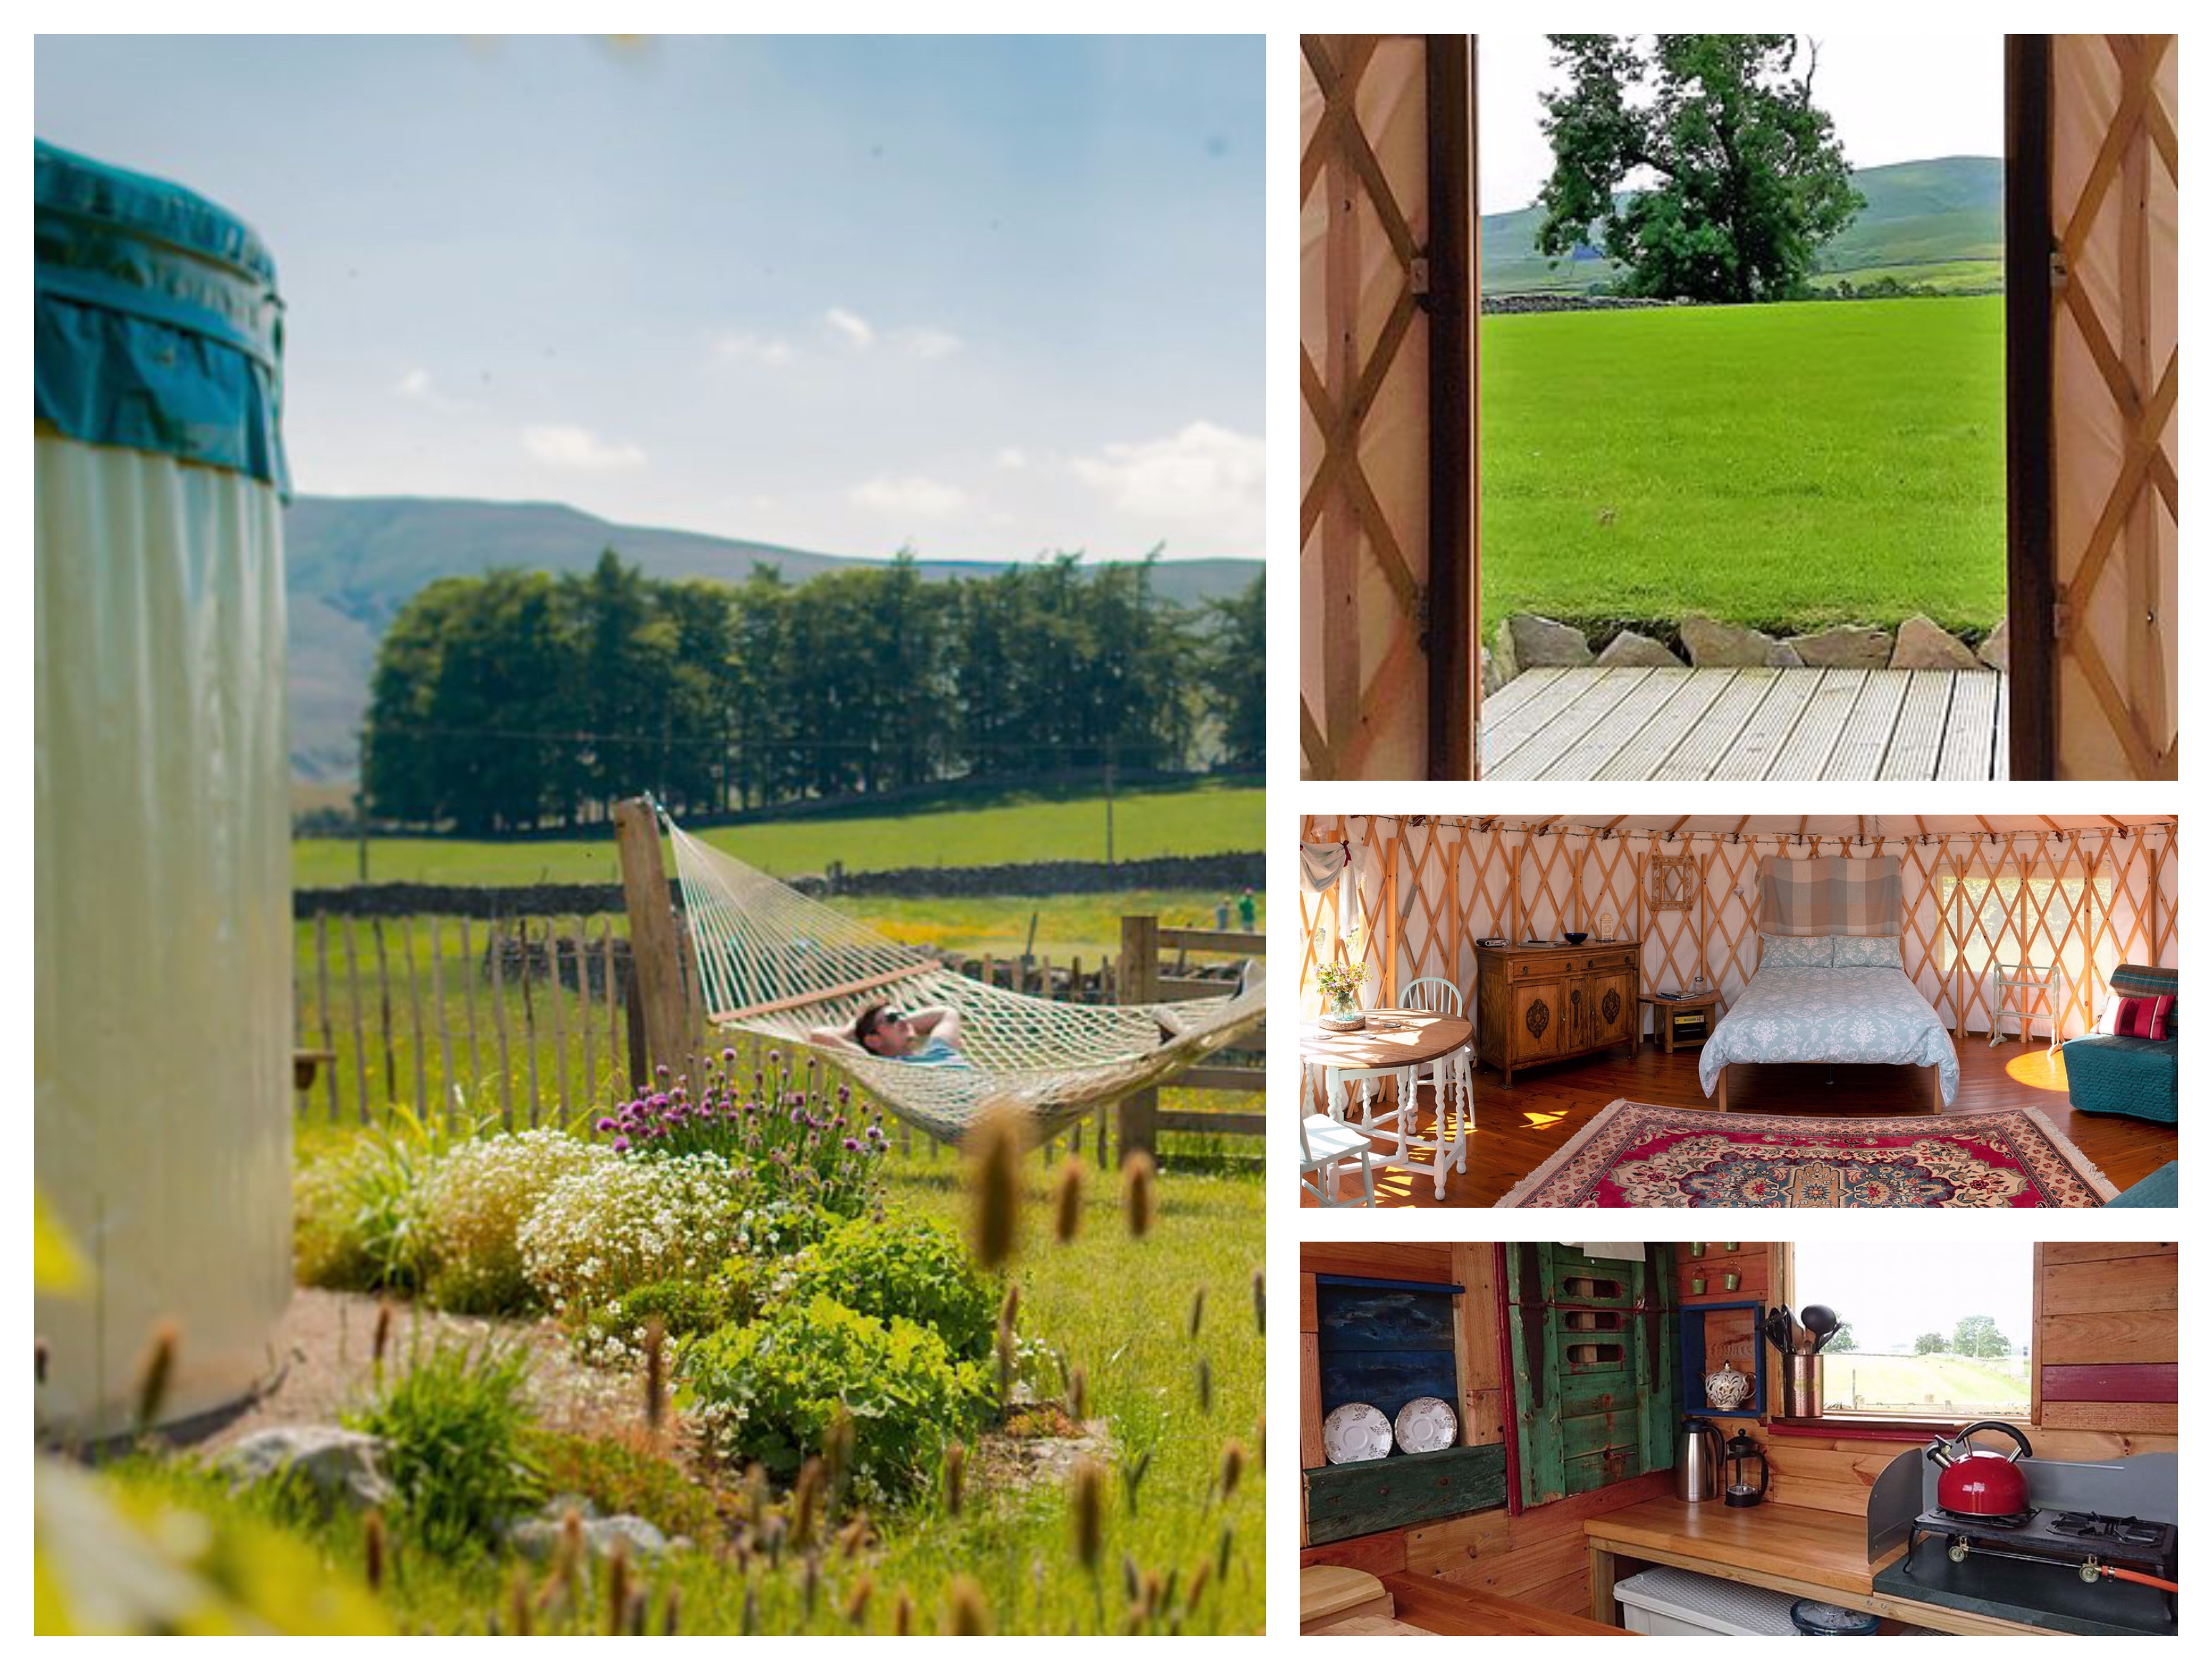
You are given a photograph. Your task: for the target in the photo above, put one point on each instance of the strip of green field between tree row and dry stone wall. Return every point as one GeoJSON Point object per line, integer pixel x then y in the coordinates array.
{"type": "Point", "coordinates": [1147, 824]}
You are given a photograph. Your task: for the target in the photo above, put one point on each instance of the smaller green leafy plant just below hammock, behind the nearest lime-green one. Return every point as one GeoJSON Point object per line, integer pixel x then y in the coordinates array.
{"type": "Point", "coordinates": [904, 1266]}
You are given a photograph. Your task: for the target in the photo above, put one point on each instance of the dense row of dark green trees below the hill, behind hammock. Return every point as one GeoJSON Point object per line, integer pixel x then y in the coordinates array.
{"type": "Point", "coordinates": [525, 700]}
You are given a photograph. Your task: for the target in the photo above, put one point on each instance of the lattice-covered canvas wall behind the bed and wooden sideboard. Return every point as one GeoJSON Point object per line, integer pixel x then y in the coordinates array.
{"type": "Point", "coordinates": [2080, 899]}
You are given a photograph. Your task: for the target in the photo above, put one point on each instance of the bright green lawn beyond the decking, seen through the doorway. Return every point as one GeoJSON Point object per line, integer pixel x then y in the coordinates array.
{"type": "Point", "coordinates": [1786, 466]}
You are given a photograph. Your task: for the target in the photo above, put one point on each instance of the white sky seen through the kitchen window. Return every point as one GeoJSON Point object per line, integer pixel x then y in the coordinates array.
{"type": "Point", "coordinates": [1897, 1293]}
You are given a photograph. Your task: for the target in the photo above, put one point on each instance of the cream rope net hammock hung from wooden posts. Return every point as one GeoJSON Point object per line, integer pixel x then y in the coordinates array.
{"type": "Point", "coordinates": [780, 963]}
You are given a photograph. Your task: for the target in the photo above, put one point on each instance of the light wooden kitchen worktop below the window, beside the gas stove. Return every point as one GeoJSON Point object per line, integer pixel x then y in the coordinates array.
{"type": "Point", "coordinates": [1793, 1552]}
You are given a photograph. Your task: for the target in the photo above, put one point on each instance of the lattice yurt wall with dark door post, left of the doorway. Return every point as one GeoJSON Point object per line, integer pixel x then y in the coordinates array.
{"type": "Point", "coordinates": [1388, 612]}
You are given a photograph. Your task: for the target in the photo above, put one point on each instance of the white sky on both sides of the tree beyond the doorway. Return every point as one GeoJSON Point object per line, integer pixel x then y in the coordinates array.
{"type": "Point", "coordinates": [1895, 98]}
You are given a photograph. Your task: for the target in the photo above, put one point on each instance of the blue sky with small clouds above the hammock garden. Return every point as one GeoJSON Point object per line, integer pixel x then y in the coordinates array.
{"type": "Point", "coordinates": [983, 298]}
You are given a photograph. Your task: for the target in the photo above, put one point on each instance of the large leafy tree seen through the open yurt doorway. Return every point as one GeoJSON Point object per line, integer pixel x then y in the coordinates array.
{"type": "Point", "coordinates": [1700, 163]}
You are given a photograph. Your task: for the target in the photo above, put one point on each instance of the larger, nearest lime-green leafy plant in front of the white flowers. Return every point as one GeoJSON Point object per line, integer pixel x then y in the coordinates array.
{"type": "Point", "coordinates": [771, 1390]}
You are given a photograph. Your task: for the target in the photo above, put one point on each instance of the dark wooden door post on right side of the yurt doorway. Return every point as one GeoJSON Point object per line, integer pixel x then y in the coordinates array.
{"type": "Point", "coordinates": [2030, 421]}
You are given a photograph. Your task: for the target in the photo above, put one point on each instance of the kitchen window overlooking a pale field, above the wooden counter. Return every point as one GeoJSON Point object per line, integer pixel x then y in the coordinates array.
{"type": "Point", "coordinates": [1926, 1330]}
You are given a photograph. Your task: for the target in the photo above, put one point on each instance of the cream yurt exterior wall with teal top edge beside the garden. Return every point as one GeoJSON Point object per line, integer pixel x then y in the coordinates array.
{"type": "Point", "coordinates": [163, 895]}
